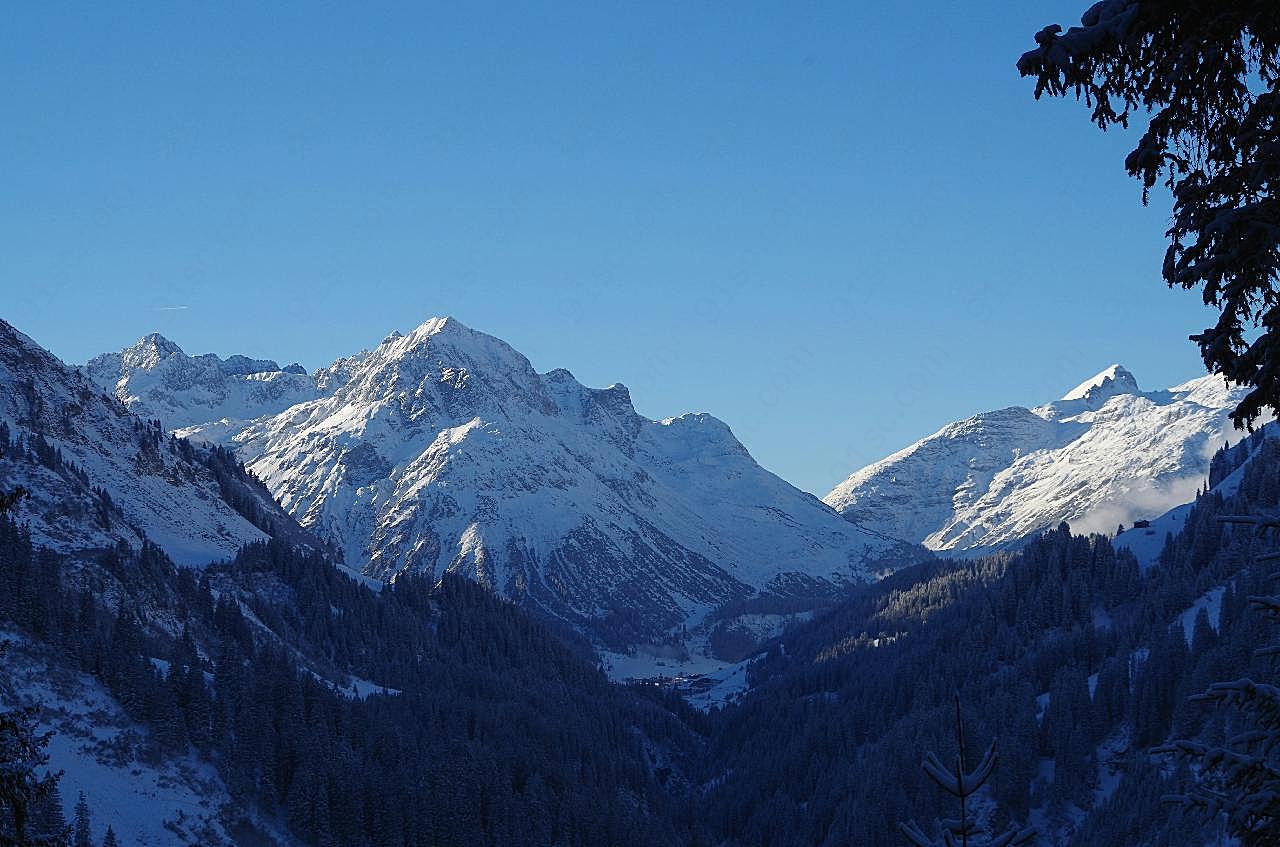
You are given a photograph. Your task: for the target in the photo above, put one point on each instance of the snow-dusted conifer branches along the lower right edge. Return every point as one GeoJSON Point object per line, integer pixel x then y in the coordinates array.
{"type": "Point", "coordinates": [1241, 779]}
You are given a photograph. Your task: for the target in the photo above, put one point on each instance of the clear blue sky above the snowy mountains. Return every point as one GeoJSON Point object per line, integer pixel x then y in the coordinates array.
{"type": "Point", "coordinates": [835, 226]}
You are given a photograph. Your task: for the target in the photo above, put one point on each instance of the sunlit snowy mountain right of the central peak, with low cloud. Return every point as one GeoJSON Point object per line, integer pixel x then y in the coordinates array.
{"type": "Point", "coordinates": [1107, 454]}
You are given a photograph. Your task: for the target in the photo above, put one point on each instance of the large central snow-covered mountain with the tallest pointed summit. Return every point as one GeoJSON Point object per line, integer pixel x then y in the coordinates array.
{"type": "Point", "coordinates": [444, 450]}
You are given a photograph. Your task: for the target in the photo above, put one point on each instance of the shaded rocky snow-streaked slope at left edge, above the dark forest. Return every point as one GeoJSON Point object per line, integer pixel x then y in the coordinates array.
{"type": "Point", "coordinates": [98, 475]}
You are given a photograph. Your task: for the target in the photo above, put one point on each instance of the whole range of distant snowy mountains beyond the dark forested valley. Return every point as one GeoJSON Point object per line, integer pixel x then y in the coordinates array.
{"type": "Point", "coordinates": [445, 451]}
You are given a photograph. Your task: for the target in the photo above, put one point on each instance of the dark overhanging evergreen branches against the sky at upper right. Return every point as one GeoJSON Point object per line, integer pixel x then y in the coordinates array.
{"type": "Point", "coordinates": [1209, 75]}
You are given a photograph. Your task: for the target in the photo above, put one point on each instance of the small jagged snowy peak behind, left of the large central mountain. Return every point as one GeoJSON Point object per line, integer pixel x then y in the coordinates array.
{"type": "Point", "coordinates": [158, 382]}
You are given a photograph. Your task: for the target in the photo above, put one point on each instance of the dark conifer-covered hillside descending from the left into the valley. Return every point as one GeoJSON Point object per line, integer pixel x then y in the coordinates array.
{"type": "Point", "coordinates": [273, 667]}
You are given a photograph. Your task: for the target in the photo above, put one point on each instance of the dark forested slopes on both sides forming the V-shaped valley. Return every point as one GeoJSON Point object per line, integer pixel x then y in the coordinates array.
{"type": "Point", "coordinates": [438, 715]}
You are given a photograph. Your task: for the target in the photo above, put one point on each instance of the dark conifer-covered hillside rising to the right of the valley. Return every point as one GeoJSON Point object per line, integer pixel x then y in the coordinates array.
{"type": "Point", "coordinates": [1072, 657]}
